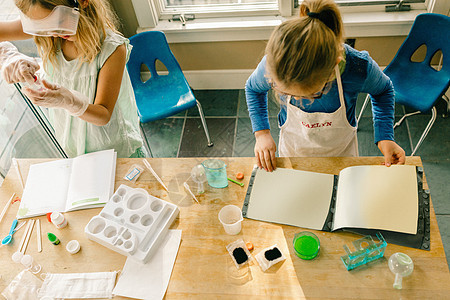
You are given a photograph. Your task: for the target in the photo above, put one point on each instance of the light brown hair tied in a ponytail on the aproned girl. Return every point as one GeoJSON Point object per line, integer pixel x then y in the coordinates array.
{"type": "Point", "coordinates": [304, 50]}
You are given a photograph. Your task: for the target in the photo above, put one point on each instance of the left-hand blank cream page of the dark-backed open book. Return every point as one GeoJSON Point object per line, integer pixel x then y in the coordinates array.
{"type": "Point", "coordinates": [291, 197]}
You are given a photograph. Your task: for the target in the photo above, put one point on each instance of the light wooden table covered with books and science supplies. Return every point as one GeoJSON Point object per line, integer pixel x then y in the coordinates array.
{"type": "Point", "coordinates": [203, 268]}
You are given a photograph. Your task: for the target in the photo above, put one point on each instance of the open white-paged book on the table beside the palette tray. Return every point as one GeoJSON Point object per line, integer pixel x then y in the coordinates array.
{"type": "Point", "coordinates": [85, 181]}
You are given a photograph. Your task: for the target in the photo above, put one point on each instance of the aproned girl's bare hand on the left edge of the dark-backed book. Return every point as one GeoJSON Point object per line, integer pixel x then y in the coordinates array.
{"type": "Point", "coordinates": [265, 149]}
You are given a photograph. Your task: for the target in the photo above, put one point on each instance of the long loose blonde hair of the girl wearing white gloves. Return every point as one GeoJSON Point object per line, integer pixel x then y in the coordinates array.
{"type": "Point", "coordinates": [91, 32]}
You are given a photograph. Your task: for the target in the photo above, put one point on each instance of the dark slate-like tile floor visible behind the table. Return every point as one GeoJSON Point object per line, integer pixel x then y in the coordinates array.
{"type": "Point", "coordinates": [230, 129]}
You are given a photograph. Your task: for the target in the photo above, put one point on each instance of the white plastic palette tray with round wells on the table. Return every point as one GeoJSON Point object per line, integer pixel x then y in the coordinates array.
{"type": "Point", "coordinates": [132, 223]}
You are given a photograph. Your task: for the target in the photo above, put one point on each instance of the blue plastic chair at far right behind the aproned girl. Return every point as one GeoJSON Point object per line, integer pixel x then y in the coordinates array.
{"type": "Point", "coordinates": [418, 85]}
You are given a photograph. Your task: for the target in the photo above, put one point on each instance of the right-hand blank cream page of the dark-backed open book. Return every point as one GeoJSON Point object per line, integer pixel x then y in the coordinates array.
{"type": "Point", "coordinates": [377, 197]}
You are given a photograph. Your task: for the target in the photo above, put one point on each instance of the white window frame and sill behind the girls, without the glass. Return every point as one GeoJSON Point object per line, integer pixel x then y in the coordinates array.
{"type": "Point", "coordinates": [360, 21]}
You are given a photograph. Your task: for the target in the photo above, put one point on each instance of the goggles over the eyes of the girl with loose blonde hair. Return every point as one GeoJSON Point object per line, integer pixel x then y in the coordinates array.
{"type": "Point", "coordinates": [63, 20]}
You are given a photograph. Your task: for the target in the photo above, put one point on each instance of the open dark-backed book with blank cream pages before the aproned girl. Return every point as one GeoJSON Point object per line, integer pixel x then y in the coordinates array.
{"type": "Point", "coordinates": [360, 197]}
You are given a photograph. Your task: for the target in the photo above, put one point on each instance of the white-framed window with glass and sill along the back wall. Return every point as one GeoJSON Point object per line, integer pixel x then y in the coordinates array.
{"type": "Point", "coordinates": [257, 18]}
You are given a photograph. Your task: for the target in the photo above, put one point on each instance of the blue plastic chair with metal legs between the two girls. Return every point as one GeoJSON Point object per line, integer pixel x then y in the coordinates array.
{"type": "Point", "coordinates": [160, 96]}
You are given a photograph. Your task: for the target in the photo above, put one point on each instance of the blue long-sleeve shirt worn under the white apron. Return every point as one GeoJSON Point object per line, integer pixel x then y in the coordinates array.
{"type": "Point", "coordinates": [361, 75]}
